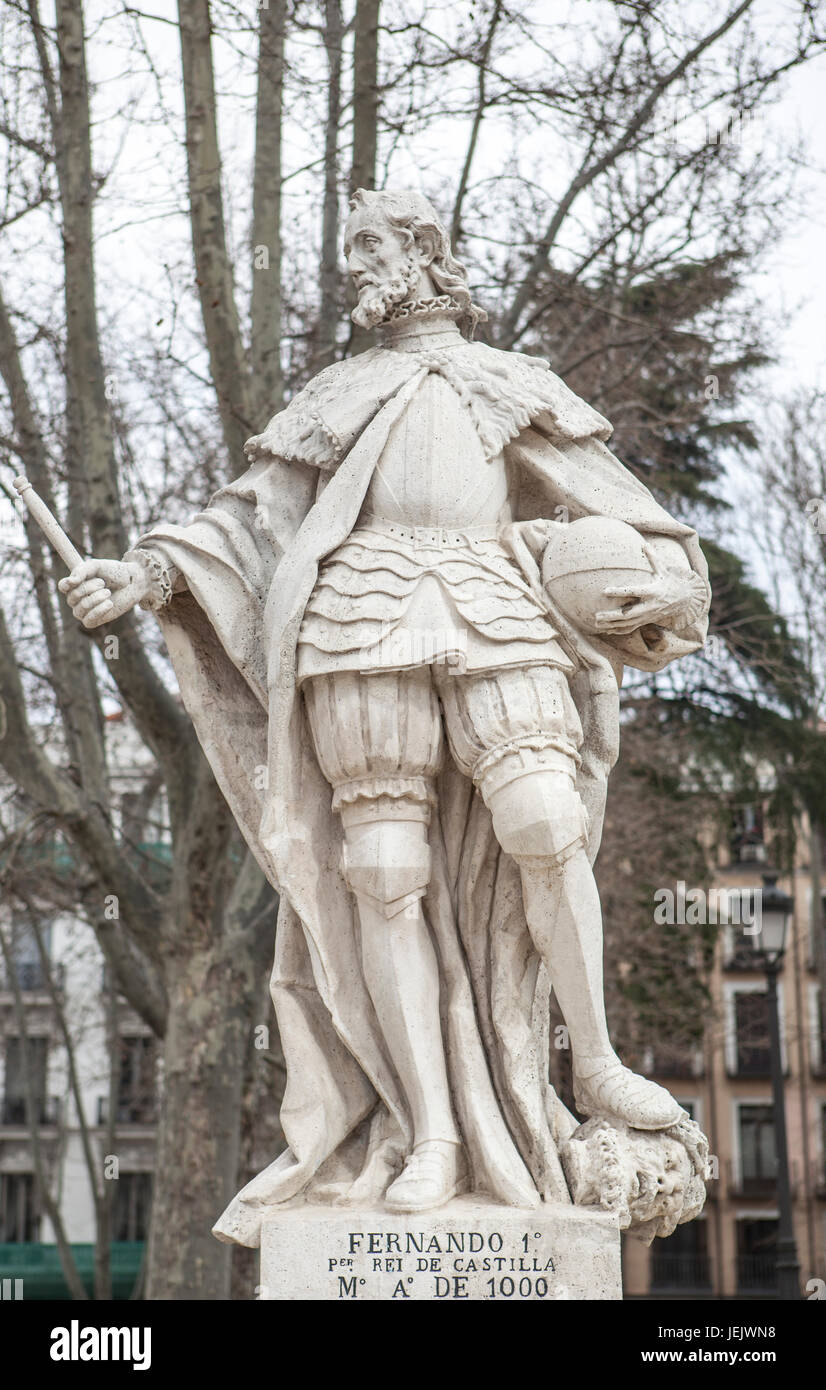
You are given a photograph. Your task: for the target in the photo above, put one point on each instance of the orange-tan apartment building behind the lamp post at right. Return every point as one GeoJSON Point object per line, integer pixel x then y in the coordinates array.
{"type": "Point", "coordinates": [727, 1086]}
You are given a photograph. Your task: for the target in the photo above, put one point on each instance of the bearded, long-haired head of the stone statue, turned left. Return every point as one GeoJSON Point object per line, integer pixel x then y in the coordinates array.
{"type": "Point", "coordinates": [398, 250]}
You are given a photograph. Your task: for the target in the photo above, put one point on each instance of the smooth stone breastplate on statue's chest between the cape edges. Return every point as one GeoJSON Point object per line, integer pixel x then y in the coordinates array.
{"type": "Point", "coordinates": [433, 471]}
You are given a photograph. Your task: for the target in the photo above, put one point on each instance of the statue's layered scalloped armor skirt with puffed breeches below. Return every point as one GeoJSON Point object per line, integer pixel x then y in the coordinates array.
{"type": "Point", "coordinates": [414, 635]}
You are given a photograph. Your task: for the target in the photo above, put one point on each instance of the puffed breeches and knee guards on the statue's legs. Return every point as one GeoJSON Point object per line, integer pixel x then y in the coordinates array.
{"type": "Point", "coordinates": [380, 742]}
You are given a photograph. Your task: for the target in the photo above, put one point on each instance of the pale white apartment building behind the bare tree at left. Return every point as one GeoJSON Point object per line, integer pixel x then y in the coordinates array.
{"type": "Point", "coordinates": [79, 1092]}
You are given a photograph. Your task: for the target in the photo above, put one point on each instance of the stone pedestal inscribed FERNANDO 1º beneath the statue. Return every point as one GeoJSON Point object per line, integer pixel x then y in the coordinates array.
{"type": "Point", "coordinates": [468, 1250]}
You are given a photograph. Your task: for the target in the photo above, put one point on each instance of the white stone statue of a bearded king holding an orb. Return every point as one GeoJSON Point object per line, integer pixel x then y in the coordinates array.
{"type": "Point", "coordinates": [401, 636]}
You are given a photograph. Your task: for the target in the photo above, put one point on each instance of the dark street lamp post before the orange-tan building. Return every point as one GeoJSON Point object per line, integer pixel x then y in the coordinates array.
{"type": "Point", "coordinates": [770, 945]}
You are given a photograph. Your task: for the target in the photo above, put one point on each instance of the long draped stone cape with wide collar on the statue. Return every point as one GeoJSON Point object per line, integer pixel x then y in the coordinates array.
{"type": "Point", "coordinates": [251, 562]}
